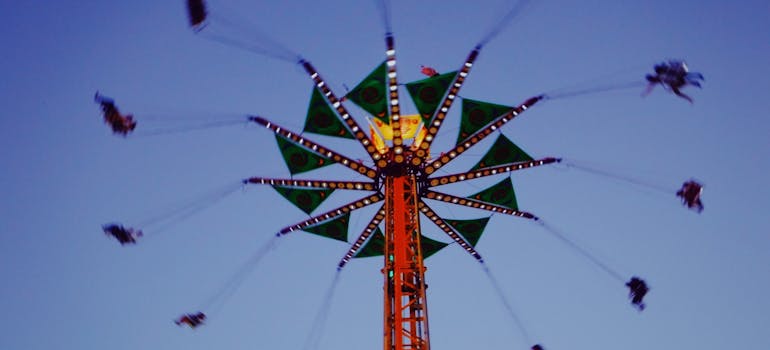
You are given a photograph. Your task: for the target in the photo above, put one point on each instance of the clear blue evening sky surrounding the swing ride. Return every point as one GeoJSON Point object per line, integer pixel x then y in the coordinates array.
{"type": "Point", "coordinates": [64, 285]}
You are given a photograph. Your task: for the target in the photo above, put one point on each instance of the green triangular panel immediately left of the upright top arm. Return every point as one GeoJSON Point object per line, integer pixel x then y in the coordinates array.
{"type": "Point", "coordinates": [371, 94]}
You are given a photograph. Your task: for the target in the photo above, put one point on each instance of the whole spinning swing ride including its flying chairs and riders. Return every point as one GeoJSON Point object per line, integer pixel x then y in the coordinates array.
{"type": "Point", "coordinates": [401, 180]}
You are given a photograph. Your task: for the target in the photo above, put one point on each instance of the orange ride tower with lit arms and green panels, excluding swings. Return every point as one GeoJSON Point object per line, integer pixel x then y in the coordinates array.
{"type": "Point", "coordinates": [402, 178]}
